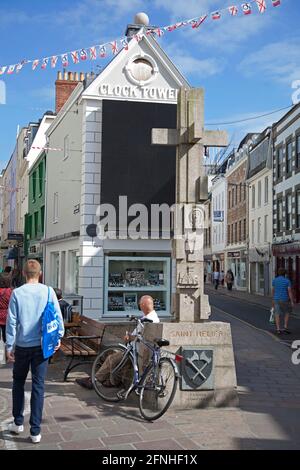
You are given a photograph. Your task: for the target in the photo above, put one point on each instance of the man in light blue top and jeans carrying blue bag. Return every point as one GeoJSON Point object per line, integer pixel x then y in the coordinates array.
{"type": "Point", "coordinates": [34, 327]}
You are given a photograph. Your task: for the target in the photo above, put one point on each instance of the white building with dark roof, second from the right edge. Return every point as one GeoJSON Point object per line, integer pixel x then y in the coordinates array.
{"type": "Point", "coordinates": [260, 214]}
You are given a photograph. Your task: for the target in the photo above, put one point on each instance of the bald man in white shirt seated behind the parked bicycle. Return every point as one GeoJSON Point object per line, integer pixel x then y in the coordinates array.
{"type": "Point", "coordinates": [103, 375]}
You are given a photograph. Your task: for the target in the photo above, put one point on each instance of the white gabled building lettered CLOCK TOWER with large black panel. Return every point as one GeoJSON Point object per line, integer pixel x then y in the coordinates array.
{"type": "Point", "coordinates": [104, 129]}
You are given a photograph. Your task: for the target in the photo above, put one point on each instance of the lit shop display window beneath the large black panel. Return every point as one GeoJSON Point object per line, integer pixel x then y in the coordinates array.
{"type": "Point", "coordinates": [127, 279]}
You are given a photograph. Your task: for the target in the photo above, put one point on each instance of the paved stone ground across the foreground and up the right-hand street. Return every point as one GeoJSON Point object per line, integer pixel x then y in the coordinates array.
{"type": "Point", "coordinates": [268, 416]}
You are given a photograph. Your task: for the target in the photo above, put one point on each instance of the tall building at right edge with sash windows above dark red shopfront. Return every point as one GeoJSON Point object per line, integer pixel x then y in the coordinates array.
{"type": "Point", "coordinates": [286, 203]}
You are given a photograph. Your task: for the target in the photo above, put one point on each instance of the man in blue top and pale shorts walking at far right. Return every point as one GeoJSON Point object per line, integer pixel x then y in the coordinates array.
{"type": "Point", "coordinates": [282, 300]}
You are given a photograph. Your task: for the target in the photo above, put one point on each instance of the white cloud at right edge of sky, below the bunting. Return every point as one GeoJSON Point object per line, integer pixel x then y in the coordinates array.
{"type": "Point", "coordinates": [279, 61]}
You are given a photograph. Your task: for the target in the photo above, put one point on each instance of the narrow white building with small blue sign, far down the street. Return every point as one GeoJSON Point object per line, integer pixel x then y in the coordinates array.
{"type": "Point", "coordinates": [219, 221]}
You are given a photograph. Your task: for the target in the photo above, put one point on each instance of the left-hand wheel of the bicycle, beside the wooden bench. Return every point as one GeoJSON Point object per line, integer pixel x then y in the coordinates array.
{"type": "Point", "coordinates": [110, 382]}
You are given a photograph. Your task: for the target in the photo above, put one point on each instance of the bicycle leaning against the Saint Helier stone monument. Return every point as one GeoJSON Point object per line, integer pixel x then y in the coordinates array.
{"type": "Point", "coordinates": [157, 384]}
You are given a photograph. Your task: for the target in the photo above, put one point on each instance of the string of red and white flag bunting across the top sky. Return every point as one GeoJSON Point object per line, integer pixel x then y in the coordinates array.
{"type": "Point", "coordinates": [101, 50]}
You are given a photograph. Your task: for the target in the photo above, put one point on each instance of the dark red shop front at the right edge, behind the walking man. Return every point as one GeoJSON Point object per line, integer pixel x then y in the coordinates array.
{"type": "Point", "coordinates": [287, 256]}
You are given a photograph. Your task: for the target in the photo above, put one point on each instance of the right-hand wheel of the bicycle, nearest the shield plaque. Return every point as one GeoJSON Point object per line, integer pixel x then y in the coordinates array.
{"type": "Point", "coordinates": [158, 390]}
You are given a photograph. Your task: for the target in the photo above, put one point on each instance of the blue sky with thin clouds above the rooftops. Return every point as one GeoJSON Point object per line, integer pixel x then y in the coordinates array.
{"type": "Point", "coordinates": [246, 64]}
